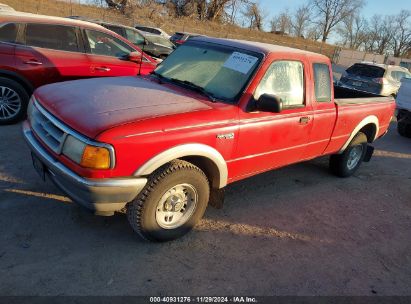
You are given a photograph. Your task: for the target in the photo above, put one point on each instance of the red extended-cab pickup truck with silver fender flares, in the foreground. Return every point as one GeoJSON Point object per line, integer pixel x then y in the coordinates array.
{"type": "Point", "coordinates": [162, 147]}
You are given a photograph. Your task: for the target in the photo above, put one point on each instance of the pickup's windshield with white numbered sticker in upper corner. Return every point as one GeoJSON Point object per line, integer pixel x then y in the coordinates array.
{"type": "Point", "coordinates": [221, 71]}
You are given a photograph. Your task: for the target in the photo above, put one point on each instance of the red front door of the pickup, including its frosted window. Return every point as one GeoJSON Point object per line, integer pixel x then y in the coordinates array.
{"type": "Point", "coordinates": [271, 140]}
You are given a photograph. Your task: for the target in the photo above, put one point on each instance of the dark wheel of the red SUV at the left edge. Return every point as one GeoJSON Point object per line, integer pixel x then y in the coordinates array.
{"type": "Point", "coordinates": [13, 101]}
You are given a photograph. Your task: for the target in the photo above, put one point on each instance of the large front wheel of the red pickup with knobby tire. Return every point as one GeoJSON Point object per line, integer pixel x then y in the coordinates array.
{"type": "Point", "coordinates": [179, 183]}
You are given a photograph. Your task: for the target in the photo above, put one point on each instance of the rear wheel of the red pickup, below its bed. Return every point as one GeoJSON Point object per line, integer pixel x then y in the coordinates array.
{"type": "Point", "coordinates": [347, 163]}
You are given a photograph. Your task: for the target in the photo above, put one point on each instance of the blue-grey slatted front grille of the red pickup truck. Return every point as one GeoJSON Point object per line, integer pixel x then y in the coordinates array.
{"type": "Point", "coordinates": [46, 129]}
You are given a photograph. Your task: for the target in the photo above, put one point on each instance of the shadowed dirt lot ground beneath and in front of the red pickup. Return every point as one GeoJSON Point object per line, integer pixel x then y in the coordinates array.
{"type": "Point", "coordinates": [294, 231]}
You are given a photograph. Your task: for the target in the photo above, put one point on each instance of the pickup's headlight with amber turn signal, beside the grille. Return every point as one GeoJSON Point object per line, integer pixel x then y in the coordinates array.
{"type": "Point", "coordinates": [87, 156]}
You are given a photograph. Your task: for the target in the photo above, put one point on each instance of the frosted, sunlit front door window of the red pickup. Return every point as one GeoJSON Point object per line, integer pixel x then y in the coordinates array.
{"type": "Point", "coordinates": [285, 80]}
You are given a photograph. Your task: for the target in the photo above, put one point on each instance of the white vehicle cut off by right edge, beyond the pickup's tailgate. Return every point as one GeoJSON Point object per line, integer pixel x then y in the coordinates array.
{"type": "Point", "coordinates": [404, 108]}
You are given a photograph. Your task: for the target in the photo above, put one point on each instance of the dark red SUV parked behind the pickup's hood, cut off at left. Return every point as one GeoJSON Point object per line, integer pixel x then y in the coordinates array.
{"type": "Point", "coordinates": [37, 50]}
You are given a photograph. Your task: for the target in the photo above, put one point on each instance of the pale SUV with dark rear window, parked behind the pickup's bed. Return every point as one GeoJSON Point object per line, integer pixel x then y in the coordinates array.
{"type": "Point", "coordinates": [379, 79]}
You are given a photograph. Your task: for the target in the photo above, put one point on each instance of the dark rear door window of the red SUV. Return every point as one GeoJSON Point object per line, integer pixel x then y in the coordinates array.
{"type": "Point", "coordinates": [49, 36]}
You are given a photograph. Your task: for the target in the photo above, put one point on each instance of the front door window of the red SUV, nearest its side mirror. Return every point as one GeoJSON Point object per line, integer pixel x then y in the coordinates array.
{"type": "Point", "coordinates": [104, 44]}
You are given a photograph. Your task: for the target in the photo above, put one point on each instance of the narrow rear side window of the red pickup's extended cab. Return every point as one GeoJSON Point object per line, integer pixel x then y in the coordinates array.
{"type": "Point", "coordinates": [322, 82]}
